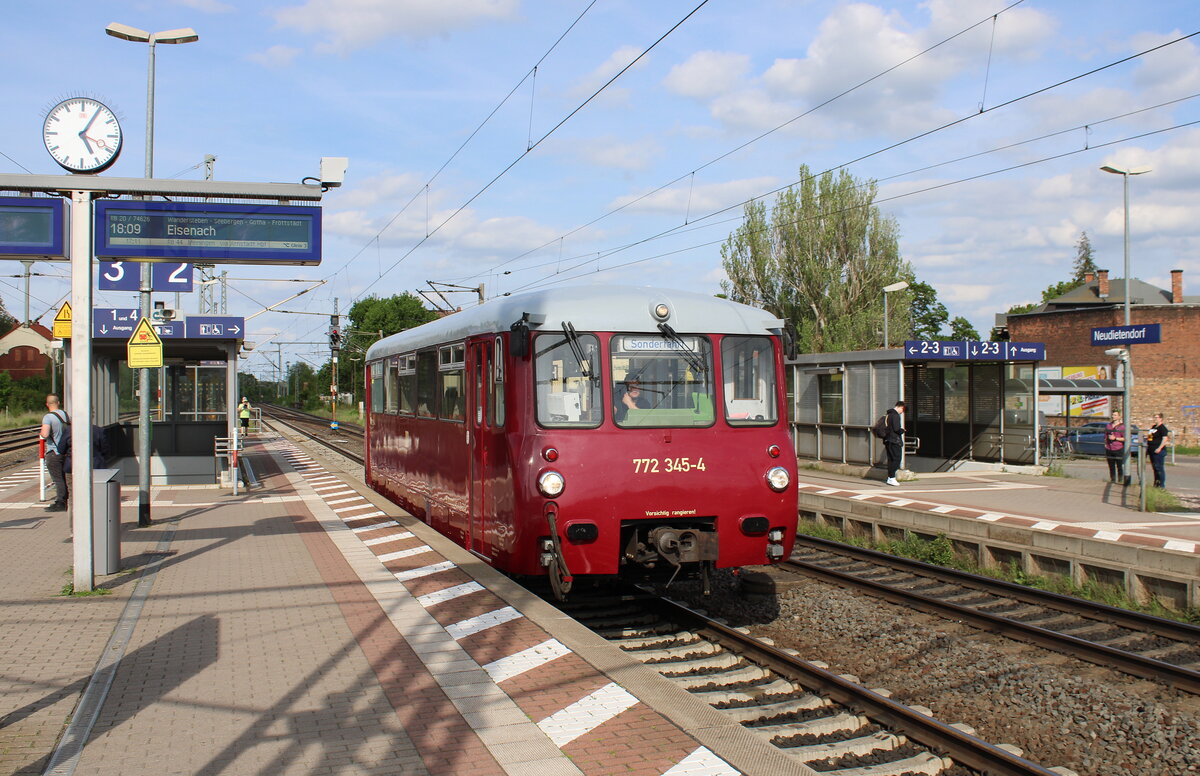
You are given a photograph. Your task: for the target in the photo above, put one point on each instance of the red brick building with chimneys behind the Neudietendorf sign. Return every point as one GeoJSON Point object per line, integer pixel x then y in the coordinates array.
{"type": "Point", "coordinates": [1167, 375]}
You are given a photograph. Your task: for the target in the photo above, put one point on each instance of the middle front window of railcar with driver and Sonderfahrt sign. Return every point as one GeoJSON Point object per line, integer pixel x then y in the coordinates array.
{"type": "Point", "coordinates": [663, 383]}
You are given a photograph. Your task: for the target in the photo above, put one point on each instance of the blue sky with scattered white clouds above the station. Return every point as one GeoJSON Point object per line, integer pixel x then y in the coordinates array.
{"type": "Point", "coordinates": [529, 145]}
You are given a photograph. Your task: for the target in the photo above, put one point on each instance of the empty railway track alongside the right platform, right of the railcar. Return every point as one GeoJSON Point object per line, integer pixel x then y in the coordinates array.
{"type": "Point", "coordinates": [1139, 645]}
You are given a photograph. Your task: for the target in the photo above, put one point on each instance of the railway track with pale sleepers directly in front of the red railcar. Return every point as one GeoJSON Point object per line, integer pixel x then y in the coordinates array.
{"type": "Point", "coordinates": [826, 721]}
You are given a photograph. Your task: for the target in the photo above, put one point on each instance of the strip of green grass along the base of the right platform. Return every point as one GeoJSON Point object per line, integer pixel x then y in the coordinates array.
{"type": "Point", "coordinates": [940, 552]}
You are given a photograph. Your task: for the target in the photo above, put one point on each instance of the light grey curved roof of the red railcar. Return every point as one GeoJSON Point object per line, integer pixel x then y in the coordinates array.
{"type": "Point", "coordinates": [589, 309]}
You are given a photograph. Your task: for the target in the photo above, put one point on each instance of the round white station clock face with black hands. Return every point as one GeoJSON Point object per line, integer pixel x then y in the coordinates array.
{"type": "Point", "coordinates": [82, 135]}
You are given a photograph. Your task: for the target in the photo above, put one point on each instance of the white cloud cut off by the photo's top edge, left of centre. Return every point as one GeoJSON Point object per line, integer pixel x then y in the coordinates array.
{"type": "Point", "coordinates": [353, 25]}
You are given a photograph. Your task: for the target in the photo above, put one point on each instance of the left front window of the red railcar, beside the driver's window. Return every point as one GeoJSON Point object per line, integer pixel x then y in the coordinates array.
{"type": "Point", "coordinates": [568, 381]}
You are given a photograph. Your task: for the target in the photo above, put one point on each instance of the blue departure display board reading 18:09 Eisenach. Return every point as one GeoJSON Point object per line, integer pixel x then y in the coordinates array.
{"type": "Point", "coordinates": [208, 233]}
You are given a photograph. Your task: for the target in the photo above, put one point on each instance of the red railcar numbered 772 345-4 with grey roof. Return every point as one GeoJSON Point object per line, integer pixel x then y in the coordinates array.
{"type": "Point", "coordinates": [591, 431]}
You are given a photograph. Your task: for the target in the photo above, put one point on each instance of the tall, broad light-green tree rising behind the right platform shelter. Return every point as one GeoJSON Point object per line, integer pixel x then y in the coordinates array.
{"type": "Point", "coordinates": [820, 261]}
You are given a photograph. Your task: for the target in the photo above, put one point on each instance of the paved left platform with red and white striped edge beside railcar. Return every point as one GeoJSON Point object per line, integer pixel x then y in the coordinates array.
{"type": "Point", "coordinates": [310, 627]}
